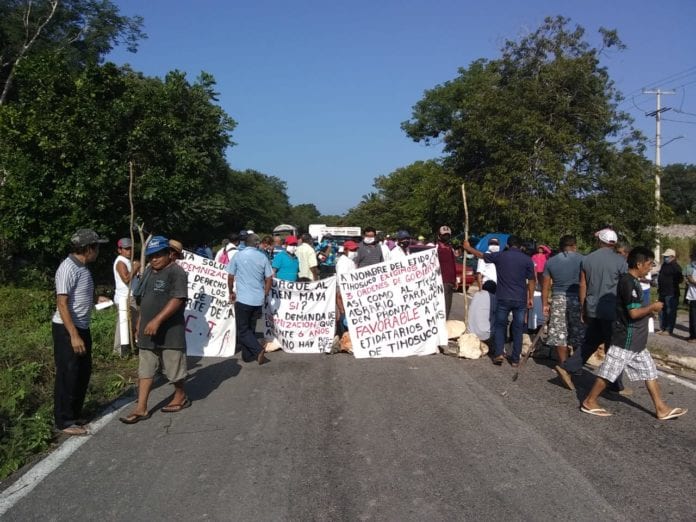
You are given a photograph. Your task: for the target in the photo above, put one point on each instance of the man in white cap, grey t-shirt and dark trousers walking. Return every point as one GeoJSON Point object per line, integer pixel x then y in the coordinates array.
{"type": "Point", "coordinates": [599, 276]}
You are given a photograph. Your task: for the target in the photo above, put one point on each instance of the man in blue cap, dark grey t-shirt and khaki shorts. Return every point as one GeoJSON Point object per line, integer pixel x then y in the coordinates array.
{"type": "Point", "coordinates": [161, 329]}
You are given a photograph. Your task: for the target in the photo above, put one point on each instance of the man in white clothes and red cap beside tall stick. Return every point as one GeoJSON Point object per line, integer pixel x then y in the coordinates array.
{"type": "Point", "coordinates": [124, 272]}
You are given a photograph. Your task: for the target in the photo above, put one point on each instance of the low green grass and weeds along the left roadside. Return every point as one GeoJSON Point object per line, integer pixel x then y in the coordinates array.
{"type": "Point", "coordinates": [27, 373]}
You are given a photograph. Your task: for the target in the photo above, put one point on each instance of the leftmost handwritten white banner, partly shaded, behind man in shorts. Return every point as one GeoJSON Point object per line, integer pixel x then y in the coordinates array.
{"type": "Point", "coordinates": [210, 326]}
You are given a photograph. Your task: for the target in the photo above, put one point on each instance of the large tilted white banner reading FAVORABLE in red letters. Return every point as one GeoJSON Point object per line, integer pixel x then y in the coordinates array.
{"type": "Point", "coordinates": [396, 309]}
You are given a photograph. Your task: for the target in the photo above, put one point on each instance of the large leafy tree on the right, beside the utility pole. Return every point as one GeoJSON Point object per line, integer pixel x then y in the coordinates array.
{"type": "Point", "coordinates": [538, 139]}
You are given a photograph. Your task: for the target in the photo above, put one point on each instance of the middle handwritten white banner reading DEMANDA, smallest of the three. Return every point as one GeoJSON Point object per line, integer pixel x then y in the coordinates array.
{"type": "Point", "coordinates": [301, 317]}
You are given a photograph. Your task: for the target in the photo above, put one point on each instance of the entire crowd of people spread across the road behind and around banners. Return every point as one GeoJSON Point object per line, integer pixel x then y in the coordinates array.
{"type": "Point", "coordinates": [589, 301]}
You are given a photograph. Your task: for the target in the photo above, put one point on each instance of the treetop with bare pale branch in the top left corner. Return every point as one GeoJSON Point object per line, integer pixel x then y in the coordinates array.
{"type": "Point", "coordinates": [84, 31]}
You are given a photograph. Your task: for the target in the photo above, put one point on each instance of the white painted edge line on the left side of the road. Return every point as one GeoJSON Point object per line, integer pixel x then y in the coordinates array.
{"type": "Point", "coordinates": [32, 478]}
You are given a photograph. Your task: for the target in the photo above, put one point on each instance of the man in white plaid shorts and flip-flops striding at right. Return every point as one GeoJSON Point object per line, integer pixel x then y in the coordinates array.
{"type": "Point", "coordinates": [628, 350]}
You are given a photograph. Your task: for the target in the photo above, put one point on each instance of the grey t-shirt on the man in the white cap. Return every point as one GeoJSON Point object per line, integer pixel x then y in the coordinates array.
{"type": "Point", "coordinates": [602, 268]}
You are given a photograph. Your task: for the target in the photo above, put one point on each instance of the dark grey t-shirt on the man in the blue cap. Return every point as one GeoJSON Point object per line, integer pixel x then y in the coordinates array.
{"type": "Point", "coordinates": [159, 288]}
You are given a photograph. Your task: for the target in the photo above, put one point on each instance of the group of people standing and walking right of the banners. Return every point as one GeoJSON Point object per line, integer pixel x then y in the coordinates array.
{"type": "Point", "coordinates": [589, 301]}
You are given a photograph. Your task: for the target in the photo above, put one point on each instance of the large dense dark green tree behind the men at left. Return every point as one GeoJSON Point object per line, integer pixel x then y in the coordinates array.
{"type": "Point", "coordinates": [67, 142]}
